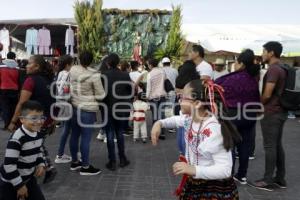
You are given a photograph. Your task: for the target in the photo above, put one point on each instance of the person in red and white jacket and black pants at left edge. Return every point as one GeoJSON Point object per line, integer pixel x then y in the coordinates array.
{"type": "Point", "coordinates": [9, 86]}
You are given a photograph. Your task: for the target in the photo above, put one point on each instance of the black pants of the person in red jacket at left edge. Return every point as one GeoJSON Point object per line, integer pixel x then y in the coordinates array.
{"type": "Point", "coordinates": [8, 103]}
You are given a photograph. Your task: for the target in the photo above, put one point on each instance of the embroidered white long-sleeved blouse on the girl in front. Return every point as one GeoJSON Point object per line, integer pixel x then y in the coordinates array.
{"type": "Point", "coordinates": [205, 150]}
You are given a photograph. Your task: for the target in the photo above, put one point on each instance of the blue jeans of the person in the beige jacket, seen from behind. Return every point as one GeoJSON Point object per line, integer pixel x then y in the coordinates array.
{"type": "Point", "coordinates": [87, 118]}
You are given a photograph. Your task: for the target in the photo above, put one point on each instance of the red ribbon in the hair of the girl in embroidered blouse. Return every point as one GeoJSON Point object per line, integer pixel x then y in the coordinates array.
{"type": "Point", "coordinates": [212, 87]}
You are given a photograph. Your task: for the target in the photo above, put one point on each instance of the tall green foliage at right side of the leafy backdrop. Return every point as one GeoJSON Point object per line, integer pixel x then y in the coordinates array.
{"type": "Point", "coordinates": [175, 41]}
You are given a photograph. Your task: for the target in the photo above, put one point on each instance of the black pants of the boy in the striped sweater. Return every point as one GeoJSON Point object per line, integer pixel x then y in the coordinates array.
{"type": "Point", "coordinates": [8, 192]}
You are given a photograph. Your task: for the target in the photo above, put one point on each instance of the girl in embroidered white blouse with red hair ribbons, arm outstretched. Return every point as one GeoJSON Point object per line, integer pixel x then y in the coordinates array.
{"type": "Point", "coordinates": [207, 164]}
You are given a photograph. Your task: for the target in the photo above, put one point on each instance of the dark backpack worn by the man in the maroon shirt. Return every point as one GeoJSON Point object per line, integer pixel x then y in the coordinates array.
{"type": "Point", "coordinates": [290, 97]}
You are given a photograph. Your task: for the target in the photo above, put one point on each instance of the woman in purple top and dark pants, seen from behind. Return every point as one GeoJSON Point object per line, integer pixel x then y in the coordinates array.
{"type": "Point", "coordinates": [242, 95]}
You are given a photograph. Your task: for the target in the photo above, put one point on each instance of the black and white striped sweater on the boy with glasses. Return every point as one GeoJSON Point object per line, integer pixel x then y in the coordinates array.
{"type": "Point", "coordinates": [23, 155]}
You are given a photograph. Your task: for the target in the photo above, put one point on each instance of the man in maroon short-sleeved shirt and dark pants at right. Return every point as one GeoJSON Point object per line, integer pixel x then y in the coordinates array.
{"type": "Point", "coordinates": [274, 119]}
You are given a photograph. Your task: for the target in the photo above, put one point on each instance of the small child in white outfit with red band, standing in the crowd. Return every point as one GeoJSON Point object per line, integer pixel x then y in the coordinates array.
{"type": "Point", "coordinates": [139, 118]}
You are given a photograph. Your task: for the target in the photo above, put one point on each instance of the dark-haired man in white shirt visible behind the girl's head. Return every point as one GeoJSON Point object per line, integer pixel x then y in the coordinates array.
{"type": "Point", "coordinates": [203, 68]}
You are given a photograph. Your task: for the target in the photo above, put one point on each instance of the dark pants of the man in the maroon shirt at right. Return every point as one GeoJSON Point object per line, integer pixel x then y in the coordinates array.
{"type": "Point", "coordinates": [272, 129]}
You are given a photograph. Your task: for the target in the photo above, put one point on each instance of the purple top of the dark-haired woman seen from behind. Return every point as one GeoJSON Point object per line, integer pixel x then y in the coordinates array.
{"type": "Point", "coordinates": [239, 87]}
